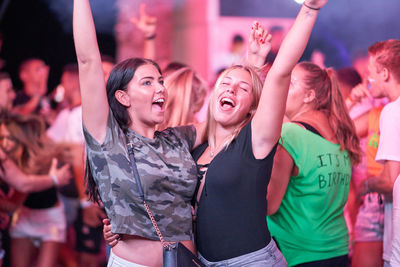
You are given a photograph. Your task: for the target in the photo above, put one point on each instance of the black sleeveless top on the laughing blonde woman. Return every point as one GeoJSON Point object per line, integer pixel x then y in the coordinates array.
{"type": "Point", "coordinates": [231, 214]}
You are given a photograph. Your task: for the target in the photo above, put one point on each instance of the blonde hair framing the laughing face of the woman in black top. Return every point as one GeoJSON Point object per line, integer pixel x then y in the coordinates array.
{"type": "Point", "coordinates": [257, 87]}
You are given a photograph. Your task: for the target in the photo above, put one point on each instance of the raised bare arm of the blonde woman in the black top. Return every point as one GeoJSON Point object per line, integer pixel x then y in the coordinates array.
{"type": "Point", "coordinates": [267, 121]}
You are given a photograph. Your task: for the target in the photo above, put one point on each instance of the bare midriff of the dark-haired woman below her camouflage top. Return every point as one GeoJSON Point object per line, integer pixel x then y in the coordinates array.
{"type": "Point", "coordinates": [144, 251]}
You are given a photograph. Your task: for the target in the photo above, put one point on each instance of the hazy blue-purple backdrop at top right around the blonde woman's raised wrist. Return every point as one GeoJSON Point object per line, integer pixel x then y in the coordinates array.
{"type": "Point", "coordinates": [344, 27]}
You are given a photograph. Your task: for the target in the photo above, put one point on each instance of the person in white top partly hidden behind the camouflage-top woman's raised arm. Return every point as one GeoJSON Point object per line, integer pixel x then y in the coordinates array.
{"type": "Point", "coordinates": [67, 129]}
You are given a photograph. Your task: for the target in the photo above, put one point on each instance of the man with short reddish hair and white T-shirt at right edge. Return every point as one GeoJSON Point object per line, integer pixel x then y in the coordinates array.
{"type": "Point", "coordinates": [384, 76]}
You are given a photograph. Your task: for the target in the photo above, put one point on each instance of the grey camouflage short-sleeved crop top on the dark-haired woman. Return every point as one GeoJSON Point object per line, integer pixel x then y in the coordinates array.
{"type": "Point", "coordinates": [167, 172]}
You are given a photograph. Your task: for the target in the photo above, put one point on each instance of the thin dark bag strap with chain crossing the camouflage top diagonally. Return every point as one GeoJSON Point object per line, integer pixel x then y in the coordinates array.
{"type": "Point", "coordinates": [140, 189]}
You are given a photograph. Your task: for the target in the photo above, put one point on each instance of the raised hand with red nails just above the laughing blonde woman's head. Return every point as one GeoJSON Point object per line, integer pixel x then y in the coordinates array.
{"type": "Point", "coordinates": [259, 45]}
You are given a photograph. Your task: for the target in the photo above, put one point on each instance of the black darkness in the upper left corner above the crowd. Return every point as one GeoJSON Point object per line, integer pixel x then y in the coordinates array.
{"type": "Point", "coordinates": [32, 28]}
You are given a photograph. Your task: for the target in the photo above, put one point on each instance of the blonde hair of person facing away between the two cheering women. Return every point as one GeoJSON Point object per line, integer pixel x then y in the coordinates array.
{"type": "Point", "coordinates": [186, 94]}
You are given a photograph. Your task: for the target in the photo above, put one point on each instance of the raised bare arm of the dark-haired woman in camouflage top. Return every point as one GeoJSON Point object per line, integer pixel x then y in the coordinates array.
{"type": "Point", "coordinates": [91, 77]}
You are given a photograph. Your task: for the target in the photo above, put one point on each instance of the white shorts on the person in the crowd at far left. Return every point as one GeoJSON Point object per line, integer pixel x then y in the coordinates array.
{"type": "Point", "coordinates": [39, 224]}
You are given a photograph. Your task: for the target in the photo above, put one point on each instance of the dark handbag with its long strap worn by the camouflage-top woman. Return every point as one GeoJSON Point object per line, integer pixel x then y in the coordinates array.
{"type": "Point", "coordinates": [174, 254]}
